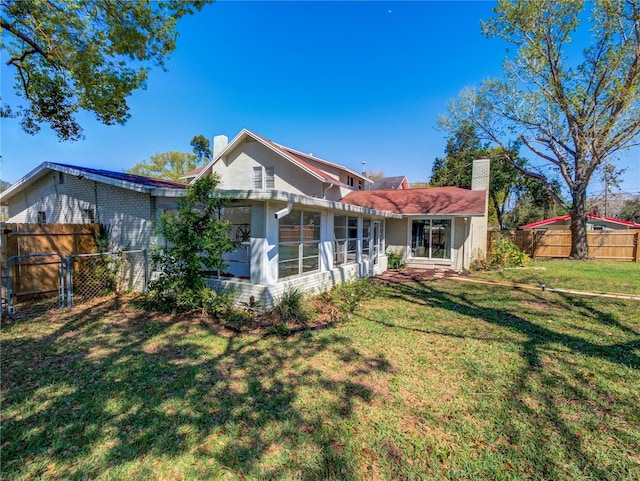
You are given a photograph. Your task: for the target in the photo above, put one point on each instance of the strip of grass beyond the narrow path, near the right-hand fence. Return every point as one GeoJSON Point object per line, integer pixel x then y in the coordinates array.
{"type": "Point", "coordinates": [594, 276]}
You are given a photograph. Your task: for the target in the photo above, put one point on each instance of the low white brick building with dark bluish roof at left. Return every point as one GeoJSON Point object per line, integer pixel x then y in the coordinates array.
{"type": "Point", "coordinates": [65, 194]}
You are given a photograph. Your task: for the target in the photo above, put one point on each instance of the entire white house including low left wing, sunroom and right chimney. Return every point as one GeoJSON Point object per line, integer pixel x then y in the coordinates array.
{"type": "Point", "coordinates": [298, 221]}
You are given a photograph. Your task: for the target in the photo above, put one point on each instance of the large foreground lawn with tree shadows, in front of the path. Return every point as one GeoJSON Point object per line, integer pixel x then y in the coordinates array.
{"type": "Point", "coordinates": [433, 380]}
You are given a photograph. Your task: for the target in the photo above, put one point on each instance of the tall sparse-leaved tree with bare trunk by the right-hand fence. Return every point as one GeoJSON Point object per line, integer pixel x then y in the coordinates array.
{"type": "Point", "coordinates": [571, 115]}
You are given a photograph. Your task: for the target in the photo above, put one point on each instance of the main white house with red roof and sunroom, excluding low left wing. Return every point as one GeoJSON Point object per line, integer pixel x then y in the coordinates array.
{"type": "Point", "coordinates": [304, 222]}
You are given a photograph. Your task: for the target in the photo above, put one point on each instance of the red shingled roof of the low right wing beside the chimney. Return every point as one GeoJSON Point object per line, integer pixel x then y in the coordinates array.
{"type": "Point", "coordinates": [432, 200]}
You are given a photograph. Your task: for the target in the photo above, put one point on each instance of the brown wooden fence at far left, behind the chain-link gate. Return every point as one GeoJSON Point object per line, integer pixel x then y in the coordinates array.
{"type": "Point", "coordinates": [39, 275]}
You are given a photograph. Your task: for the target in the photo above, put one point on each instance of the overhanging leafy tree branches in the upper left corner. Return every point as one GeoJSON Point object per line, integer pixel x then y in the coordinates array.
{"type": "Point", "coordinates": [86, 54]}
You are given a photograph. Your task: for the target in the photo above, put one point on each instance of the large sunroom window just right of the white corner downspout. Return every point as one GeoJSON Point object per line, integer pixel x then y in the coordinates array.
{"type": "Point", "coordinates": [299, 238]}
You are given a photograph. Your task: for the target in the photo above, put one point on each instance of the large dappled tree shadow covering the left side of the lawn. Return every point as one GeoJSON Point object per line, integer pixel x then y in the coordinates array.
{"type": "Point", "coordinates": [101, 394]}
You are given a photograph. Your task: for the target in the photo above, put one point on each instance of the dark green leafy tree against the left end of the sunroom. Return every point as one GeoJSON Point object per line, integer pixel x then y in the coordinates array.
{"type": "Point", "coordinates": [196, 240]}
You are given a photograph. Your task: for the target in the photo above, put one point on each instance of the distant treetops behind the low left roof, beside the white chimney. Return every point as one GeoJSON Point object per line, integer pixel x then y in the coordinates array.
{"type": "Point", "coordinates": [171, 165]}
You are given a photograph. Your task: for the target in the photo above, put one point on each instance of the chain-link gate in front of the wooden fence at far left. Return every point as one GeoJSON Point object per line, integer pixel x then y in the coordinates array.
{"type": "Point", "coordinates": [32, 284]}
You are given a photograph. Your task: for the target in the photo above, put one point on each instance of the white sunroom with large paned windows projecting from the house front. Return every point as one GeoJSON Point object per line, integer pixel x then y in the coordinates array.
{"type": "Point", "coordinates": [286, 241]}
